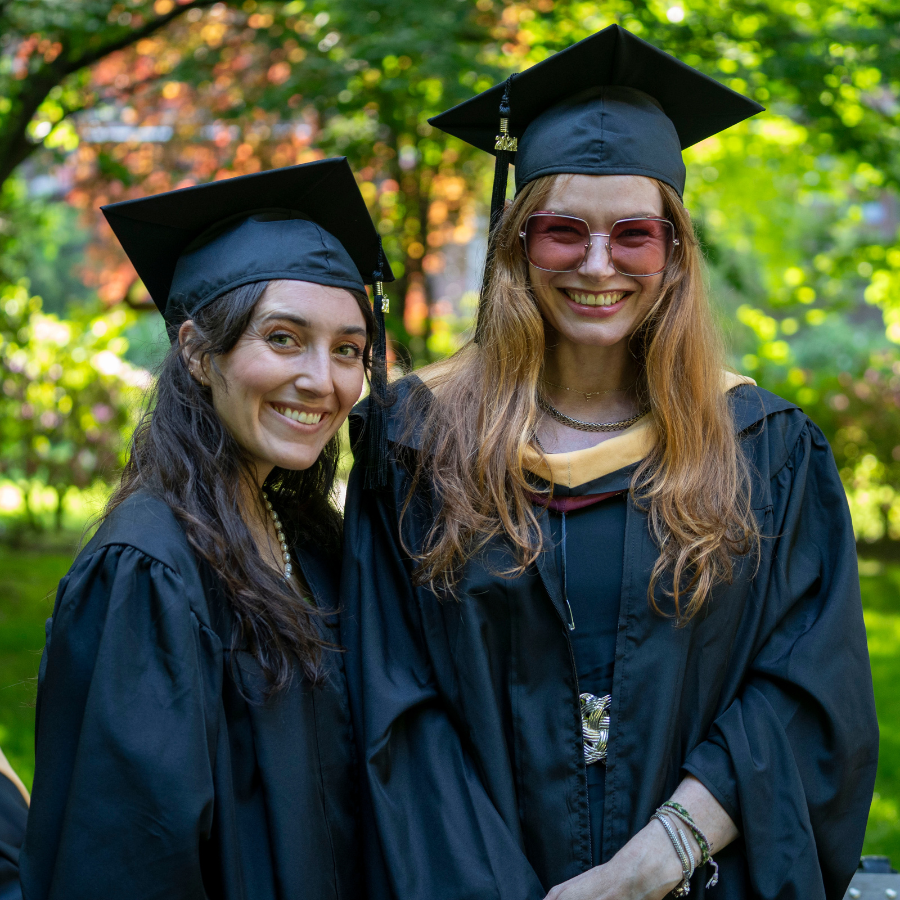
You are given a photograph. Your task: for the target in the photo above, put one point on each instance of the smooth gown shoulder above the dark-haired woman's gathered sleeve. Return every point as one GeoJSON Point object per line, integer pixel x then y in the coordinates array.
{"type": "Point", "coordinates": [145, 525]}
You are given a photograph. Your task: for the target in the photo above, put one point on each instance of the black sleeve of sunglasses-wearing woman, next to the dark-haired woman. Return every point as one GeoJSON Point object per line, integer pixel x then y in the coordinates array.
{"type": "Point", "coordinates": [439, 835]}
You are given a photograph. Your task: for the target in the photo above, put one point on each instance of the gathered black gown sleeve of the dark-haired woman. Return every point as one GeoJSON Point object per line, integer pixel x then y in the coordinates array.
{"type": "Point", "coordinates": [123, 792]}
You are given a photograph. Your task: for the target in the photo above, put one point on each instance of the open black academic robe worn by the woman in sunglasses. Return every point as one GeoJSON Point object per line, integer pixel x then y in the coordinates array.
{"type": "Point", "coordinates": [467, 710]}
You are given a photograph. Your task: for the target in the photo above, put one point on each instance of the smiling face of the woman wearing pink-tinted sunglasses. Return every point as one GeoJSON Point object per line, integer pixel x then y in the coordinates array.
{"type": "Point", "coordinates": [595, 304]}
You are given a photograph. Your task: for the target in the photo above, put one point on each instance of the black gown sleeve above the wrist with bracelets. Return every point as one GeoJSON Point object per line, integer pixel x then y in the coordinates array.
{"type": "Point", "coordinates": [792, 758]}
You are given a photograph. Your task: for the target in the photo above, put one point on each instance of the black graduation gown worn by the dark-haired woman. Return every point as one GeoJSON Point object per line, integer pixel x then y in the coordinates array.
{"type": "Point", "coordinates": [160, 772]}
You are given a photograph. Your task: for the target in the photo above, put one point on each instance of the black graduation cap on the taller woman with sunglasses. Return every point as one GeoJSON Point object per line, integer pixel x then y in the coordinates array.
{"type": "Point", "coordinates": [611, 104]}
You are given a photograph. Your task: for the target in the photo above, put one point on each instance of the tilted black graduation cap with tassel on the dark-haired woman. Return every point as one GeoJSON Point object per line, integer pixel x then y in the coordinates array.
{"type": "Point", "coordinates": [301, 223]}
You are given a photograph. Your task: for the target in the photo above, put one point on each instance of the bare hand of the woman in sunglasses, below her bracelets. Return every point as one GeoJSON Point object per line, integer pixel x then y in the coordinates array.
{"type": "Point", "coordinates": [646, 868]}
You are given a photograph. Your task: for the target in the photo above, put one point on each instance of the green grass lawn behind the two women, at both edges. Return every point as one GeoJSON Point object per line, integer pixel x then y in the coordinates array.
{"type": "Point", "coordinates": [28, 582]}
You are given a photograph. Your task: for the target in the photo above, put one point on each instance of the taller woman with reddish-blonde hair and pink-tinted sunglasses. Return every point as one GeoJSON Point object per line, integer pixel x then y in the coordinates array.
{"type": "Point", "coordinates": [603, 617]}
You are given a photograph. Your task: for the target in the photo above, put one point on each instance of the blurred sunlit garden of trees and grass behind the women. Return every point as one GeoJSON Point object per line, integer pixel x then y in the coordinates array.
{"type": "Point", "coordinates": [798, 211]}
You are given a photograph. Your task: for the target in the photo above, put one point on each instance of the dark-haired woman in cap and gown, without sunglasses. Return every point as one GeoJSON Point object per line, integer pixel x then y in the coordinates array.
{"type": "Point", "coordinates": [193, 737]}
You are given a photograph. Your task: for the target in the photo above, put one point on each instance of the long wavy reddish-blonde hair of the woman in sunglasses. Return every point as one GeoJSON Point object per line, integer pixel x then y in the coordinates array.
{"type": "Point", "coordinates": [482, 413]}
